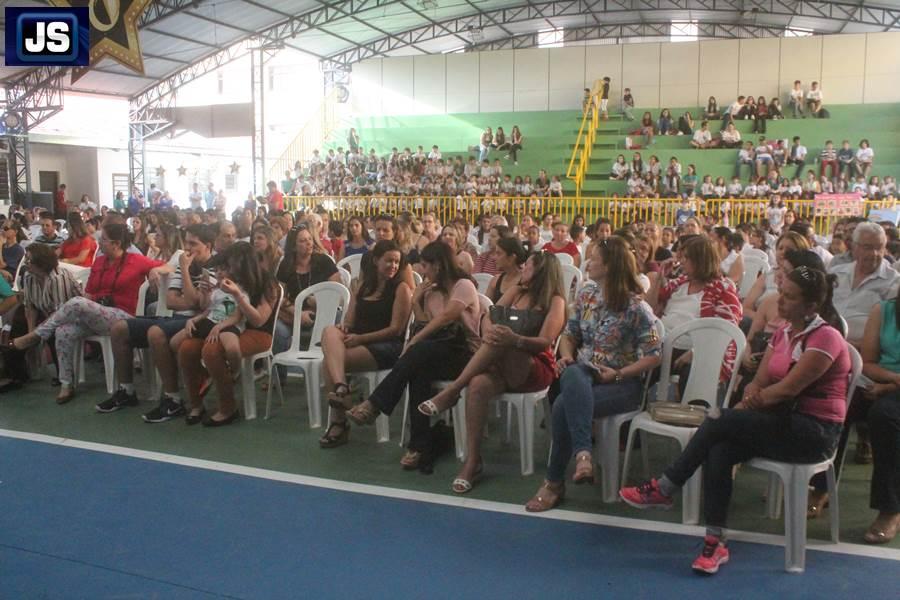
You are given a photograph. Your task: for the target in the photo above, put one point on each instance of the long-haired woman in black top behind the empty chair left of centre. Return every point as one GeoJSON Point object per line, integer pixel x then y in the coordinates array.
{"type": "Point", "coordinates": [300, 269]}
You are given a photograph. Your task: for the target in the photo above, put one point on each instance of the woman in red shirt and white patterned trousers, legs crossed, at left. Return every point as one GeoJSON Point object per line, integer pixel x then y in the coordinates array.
{"type": "Point", "coordinates": [110, 295]}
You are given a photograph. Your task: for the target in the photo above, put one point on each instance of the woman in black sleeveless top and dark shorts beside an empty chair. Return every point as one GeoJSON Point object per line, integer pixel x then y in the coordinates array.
{"type": "Point", "coordinates": [371, 337]}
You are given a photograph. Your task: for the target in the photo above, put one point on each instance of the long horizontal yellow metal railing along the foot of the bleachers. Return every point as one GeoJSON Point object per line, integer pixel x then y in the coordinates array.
{"type": "Point", "coordinates": [620, 211]}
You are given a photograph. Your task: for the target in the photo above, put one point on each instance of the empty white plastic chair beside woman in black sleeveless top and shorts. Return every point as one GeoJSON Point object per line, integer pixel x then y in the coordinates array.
{"type": "Point", "coordinates": [331, 300]}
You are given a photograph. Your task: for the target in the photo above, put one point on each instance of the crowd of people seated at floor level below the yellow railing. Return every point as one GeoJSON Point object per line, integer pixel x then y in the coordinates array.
{"type": "Point", "coordinates": [222, 284]}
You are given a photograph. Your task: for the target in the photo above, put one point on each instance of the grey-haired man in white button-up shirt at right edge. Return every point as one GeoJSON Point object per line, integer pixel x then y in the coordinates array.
{"type": "Point", "coordinates": [864, 282]}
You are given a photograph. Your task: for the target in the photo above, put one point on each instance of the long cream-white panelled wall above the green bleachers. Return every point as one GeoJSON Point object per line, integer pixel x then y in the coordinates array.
{"type": "Point", "coordinates": [856, 68]}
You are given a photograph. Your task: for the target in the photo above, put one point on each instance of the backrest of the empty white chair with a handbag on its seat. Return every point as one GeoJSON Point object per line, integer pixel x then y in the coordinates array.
{"type": "Point", "coordinates": [710, 339]}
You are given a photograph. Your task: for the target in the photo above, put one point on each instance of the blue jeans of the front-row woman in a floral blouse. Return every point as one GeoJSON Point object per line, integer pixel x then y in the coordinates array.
{"type": "Point", "coordinates": [580, 401]}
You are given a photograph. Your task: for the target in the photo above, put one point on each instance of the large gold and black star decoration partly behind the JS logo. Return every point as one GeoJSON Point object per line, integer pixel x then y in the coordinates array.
{"type": "Point", "coordinates": [114, 31]}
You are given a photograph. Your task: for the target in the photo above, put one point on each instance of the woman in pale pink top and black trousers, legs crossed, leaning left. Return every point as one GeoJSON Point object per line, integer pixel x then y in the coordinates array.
{"type": "Point", "coordinates": [447, 312]}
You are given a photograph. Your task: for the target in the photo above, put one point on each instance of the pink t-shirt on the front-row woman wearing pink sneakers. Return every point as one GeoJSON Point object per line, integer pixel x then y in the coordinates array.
{"type": "Point", "coordinates": [826, 398]}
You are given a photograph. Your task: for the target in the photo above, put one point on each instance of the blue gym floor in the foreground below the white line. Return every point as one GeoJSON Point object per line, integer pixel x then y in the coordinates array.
{"type": "Point", "coordinates": [78, 523]}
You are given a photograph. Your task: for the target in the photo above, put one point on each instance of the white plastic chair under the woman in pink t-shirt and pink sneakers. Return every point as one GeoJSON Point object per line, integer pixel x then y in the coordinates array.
{"type": "Point", "coordinates": [791, 480]}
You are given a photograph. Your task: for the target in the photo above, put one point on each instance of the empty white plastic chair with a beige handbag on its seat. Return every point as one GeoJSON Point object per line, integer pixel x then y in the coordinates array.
{"type": "Point", "coordinates": [710, 339]}
